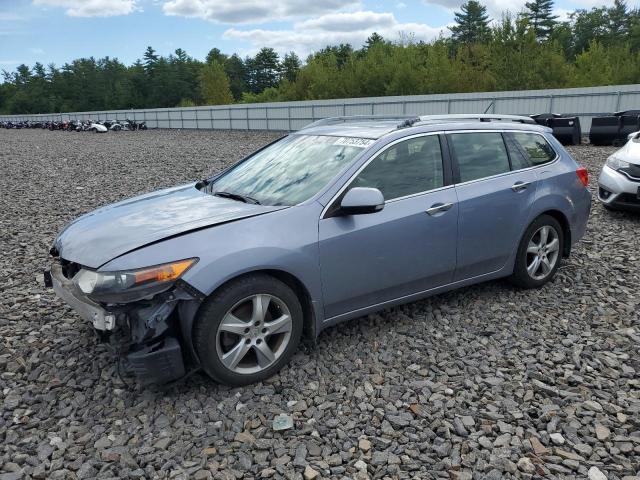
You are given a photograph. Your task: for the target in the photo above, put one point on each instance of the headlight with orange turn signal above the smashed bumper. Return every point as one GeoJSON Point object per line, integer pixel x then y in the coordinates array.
{"type": "Point", "coordinates": [130, 285]}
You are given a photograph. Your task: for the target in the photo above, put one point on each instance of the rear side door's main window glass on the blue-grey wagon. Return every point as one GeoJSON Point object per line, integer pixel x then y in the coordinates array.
{"type": "Point", "coordinates": [479, 155]}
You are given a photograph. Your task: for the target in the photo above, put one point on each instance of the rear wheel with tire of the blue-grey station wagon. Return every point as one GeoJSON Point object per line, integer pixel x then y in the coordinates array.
{"type": "Point", "coordinates": [539, 253]}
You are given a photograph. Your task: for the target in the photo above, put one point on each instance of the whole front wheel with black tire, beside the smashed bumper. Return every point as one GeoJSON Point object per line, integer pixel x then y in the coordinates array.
{"type": "Point", "coordinates": [248, 330]}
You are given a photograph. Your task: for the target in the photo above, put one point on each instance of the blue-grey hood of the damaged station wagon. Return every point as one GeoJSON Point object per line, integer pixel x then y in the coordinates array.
{"type": "Point", "coordinates": [104, 234]}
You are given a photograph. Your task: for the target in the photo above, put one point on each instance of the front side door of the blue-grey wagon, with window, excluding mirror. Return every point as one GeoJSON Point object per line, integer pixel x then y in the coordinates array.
{"type": "Point", "coordinates": [408, 247]}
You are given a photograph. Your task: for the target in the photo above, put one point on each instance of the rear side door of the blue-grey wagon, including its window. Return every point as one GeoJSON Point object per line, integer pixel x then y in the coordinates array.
{"type": "Point", "coordinates": [495, 193]}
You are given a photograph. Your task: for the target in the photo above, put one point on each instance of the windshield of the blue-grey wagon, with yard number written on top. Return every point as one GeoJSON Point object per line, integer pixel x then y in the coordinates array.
{"type": "Point", "coordinates": [291, 170]}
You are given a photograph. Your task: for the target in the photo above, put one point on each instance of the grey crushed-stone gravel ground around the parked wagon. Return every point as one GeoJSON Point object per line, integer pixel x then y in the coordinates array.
{"type": "Point", "coordinates": [485, 382]}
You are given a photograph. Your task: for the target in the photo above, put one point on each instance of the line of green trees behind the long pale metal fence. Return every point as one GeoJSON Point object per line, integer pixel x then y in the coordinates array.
{"type": "Point", "coordinates": [529, 50]}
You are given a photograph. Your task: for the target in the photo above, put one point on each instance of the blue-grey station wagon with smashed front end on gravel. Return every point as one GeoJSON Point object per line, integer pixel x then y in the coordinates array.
{"type": "Point", "coordinates": [342, 218]}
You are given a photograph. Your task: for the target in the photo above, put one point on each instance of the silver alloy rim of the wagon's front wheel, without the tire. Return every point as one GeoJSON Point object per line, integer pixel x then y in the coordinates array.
{"type": "Point", "coordinates": [253, 334]}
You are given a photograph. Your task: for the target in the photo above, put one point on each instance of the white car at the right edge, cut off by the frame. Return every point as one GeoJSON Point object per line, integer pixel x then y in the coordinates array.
{"type": "Point", "coordinates": [619, 182]}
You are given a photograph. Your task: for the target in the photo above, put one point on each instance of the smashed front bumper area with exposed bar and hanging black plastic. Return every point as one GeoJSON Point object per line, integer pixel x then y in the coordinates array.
{"type": "Point", "coordinates": [152, 337]}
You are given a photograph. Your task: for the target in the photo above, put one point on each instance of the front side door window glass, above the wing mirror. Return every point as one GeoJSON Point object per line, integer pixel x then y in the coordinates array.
{"type": "Point", "coordinates": [409, 167]}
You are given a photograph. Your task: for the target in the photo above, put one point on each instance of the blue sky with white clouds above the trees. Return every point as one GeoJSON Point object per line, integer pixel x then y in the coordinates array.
{"type": "Point", "coordinates": [59, 31]}
